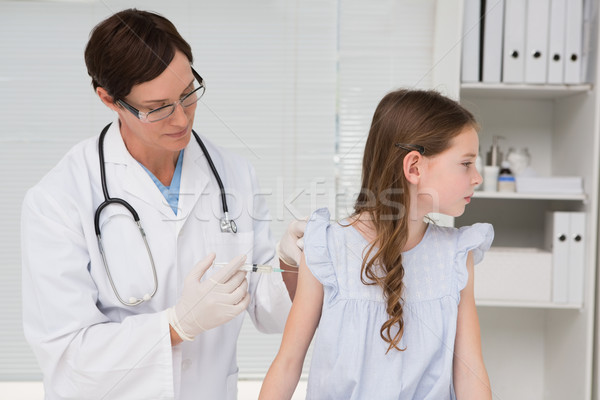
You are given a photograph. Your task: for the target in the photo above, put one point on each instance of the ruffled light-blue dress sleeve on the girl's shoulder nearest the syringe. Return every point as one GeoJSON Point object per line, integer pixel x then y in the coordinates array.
{"type": "Point", "coordinates": [316, 249]}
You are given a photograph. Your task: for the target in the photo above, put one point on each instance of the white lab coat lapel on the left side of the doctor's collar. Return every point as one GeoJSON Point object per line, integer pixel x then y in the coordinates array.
{"type": "Point", "coordinates": [137, 182]}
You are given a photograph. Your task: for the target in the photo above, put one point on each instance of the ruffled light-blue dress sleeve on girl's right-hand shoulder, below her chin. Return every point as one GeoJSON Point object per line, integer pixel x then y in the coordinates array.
{"type": "Point", "coordinates": [477, 239]}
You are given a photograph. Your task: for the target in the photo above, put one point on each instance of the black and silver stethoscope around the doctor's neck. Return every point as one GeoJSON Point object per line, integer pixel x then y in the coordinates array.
{"type": "Point", "coordinates": [227, 224]}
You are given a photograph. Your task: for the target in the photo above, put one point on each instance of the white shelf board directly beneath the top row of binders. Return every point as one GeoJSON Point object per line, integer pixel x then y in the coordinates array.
{"type": "Point", "coordinates": [521, 91]}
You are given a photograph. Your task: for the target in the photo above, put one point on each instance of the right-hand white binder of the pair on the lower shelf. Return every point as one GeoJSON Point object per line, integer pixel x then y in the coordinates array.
{"type": "Point", "coordinates": [576, 257]}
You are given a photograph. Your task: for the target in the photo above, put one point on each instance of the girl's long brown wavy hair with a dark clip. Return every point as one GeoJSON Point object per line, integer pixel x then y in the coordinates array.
{"type": "Point", "coordinates": [414, 117]}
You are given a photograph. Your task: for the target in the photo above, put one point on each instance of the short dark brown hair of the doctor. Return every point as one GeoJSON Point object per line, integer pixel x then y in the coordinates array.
{"type": "Point", "coordinates": [129, 48]}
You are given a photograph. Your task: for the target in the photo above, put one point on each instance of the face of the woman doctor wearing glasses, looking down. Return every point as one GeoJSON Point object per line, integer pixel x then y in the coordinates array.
{"type": "Point", "coordinates": [172, 133]}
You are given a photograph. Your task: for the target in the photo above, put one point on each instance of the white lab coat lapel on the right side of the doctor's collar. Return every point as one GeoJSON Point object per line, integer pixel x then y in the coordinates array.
{"type": "Point", "coordinates": [195, 176]}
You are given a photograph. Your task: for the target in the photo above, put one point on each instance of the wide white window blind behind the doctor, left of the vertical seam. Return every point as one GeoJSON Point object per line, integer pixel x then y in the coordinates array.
{"type": "Point", "coordinates": [270, 73]}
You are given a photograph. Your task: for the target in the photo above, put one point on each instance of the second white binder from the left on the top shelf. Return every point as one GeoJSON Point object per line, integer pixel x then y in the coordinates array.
{"type": "Point", "coordinates": [492, 41]}
